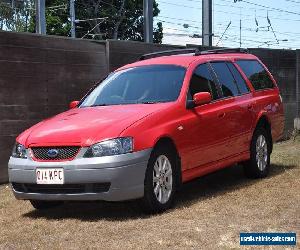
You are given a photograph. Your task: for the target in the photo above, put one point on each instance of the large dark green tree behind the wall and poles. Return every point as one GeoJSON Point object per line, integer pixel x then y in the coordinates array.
{"type": "Point", "coordinates": [123, 19]}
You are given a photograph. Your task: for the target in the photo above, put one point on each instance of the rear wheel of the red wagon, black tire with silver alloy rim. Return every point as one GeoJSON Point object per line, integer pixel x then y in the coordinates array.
{"type": "Point", "coordinates": [260, 150]}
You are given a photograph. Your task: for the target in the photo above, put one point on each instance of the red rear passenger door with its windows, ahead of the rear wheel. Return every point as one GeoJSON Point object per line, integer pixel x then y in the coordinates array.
{"type": "Point", "coordinates": [238, 115]}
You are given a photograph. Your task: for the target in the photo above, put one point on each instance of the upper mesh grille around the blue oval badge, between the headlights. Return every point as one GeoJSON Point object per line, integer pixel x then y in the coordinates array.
{"type": "Point", "coordinates": [64, 153]}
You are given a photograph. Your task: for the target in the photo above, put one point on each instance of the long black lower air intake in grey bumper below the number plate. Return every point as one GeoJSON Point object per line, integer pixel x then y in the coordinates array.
{"type": "Point", "coordinates": [61, 189]}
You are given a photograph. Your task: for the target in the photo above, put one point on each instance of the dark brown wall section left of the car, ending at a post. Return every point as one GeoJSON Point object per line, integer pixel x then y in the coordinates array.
{"type": "Point", "coordinates": [39, 76]}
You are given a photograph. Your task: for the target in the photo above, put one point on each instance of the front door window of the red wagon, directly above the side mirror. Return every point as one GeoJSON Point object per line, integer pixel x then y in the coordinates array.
{"type": "Point", "coordinates": [202, 81]}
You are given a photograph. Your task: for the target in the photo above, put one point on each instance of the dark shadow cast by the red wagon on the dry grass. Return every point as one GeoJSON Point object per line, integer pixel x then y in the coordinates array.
{"type": "Point", "coordinates": [210, 186]}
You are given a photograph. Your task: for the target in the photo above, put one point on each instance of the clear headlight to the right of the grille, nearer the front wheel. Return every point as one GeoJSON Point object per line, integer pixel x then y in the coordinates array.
{"type": "Point", "coordinates": [116, 146]}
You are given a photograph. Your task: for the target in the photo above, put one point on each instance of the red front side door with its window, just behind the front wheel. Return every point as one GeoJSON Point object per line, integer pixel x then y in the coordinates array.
{"type": "Point", "coordinates": [205, 124]}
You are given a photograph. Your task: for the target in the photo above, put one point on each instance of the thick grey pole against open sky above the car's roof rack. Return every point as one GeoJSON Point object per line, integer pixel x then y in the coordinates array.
{"type": "Point", "coordinates": [207, 23]}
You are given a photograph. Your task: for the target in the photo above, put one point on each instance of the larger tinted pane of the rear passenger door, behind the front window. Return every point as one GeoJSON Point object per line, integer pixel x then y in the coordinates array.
{"type": "Point", "coordinates": [226, 80]}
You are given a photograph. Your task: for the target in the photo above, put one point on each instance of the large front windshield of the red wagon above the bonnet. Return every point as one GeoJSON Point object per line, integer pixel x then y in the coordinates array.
{"type": "Point", "coordinates": [144, 84]}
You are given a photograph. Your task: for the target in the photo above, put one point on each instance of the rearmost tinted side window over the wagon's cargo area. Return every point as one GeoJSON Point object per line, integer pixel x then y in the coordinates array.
{"type": "Point", "coordinates": [256, 73]}
